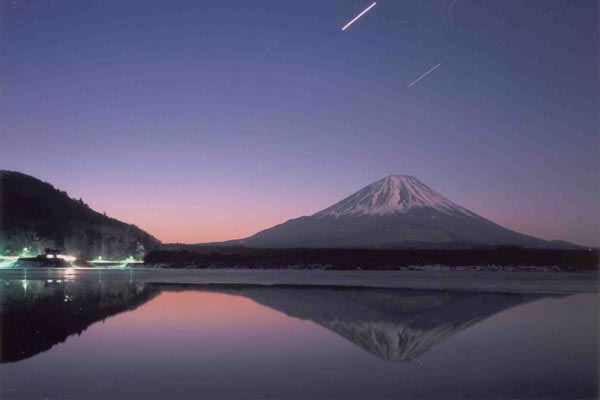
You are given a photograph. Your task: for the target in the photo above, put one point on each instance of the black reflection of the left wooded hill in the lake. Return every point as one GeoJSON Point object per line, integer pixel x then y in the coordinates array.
{"type": "Point", "coordinates": [36, 315]}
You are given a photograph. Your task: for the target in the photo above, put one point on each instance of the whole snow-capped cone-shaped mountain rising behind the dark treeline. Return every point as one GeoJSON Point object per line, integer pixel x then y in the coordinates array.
{"type": "Point", "coordinates": [397, 211]}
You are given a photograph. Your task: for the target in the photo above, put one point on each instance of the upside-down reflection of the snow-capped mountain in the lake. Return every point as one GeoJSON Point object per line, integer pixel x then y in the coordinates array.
{"type": "Point", "coordinates": [395, 325]}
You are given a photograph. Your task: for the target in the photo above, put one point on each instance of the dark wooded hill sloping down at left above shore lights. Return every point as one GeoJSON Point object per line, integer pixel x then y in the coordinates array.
{"type": "Point", "coordinates": [36, 215]}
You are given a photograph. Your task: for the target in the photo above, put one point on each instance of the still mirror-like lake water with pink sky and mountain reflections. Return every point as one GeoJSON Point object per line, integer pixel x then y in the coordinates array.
{"type": "Point", "coordinates": [82, 339]}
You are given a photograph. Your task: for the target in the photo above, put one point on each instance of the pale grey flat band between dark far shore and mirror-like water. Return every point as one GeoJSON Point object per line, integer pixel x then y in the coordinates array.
{"type": "Point", "coordinates": [450, 280]}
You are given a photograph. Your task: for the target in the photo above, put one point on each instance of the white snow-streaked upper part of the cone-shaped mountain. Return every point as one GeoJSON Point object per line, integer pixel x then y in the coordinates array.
{"type": "Point", "coordinates": [392, 194]}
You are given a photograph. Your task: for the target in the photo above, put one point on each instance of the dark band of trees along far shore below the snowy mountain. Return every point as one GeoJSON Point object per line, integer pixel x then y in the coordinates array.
{"type": "Point", "coordinates": [499, 258]}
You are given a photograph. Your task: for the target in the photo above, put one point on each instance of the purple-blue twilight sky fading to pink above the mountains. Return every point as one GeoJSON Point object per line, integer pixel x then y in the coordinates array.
{"type": "Point", "coordinates": [210, 120]}
